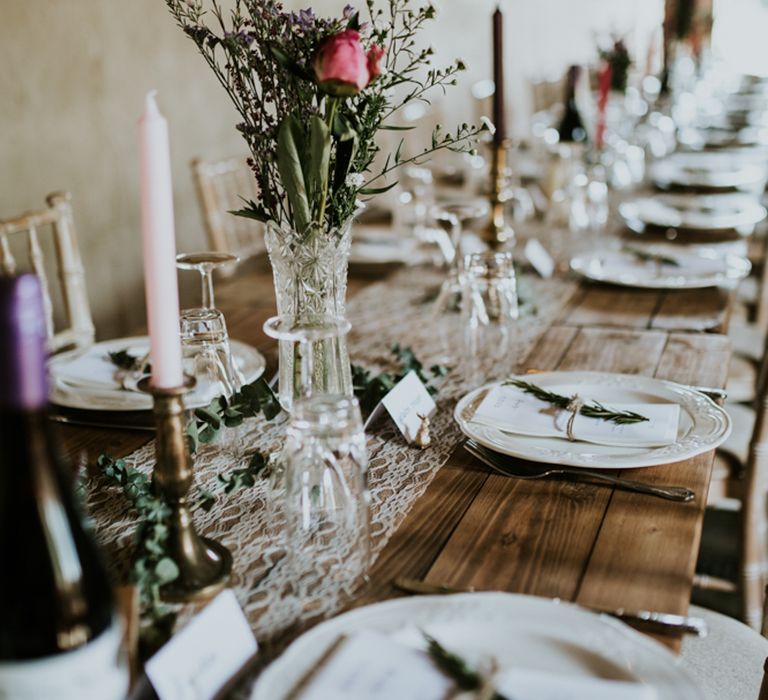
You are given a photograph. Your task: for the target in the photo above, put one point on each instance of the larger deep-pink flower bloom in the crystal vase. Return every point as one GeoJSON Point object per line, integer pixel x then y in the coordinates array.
{"type": "Point", "coordinates": [340, 64]}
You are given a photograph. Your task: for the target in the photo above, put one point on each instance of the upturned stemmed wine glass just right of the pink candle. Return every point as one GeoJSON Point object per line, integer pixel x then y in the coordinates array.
{"type": "Point", "coordinates": [205, 341]}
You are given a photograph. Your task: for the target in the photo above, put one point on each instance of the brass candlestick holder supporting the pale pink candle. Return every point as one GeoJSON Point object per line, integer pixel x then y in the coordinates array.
{"type": "Point", "coordinates": [204, 564]}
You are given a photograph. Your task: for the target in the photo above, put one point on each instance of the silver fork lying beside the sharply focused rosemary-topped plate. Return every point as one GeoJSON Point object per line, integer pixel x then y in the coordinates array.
{"type": "Point", "coordinates": [495, 462]}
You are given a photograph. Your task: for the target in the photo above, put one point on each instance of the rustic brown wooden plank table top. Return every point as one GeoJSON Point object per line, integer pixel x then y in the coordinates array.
{"type": "Point", "coordinates": [590, 544]}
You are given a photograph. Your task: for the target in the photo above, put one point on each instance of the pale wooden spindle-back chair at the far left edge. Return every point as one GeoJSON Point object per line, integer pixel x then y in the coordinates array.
{"type": "Point", "coordinates": [22, 242]}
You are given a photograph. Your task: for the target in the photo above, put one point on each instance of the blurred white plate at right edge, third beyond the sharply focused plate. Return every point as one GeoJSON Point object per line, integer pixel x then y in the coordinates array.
{"type": "Point", "coordinates": [710, 170]}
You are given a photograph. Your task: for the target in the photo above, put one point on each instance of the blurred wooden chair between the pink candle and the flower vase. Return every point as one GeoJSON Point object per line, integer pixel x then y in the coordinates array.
{"type": "Point", "coordinates": [221, 187]}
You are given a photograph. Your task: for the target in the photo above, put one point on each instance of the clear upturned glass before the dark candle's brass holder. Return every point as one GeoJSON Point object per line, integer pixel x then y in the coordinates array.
{"type": "Point", "coordinates": [489, 314]}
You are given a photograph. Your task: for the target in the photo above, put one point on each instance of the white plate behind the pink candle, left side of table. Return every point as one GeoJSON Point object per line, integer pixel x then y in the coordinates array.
{"type": "Point", "coordinates": [104, 398]}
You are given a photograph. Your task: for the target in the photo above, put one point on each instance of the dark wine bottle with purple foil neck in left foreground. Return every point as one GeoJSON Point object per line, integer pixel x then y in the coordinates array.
{"type": "Point", "coordinates": [59, 634]}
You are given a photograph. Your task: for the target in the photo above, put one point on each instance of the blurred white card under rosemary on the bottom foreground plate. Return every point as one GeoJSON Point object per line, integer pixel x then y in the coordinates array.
{"type": "Point", "coordinates": [369, 665]}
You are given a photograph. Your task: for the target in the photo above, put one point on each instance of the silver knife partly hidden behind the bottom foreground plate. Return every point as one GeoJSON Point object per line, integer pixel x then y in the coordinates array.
{"type": "Point", "coordinates": [648, 620]}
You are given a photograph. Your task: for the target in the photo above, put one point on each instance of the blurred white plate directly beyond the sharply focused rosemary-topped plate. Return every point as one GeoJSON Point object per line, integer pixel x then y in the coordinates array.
{"type": "Point", "coordinates": [693, 271]}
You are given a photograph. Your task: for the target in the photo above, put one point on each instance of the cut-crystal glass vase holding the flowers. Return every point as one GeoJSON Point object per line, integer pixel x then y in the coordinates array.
{"type": "Point", "coordinates": [310, 276]}
